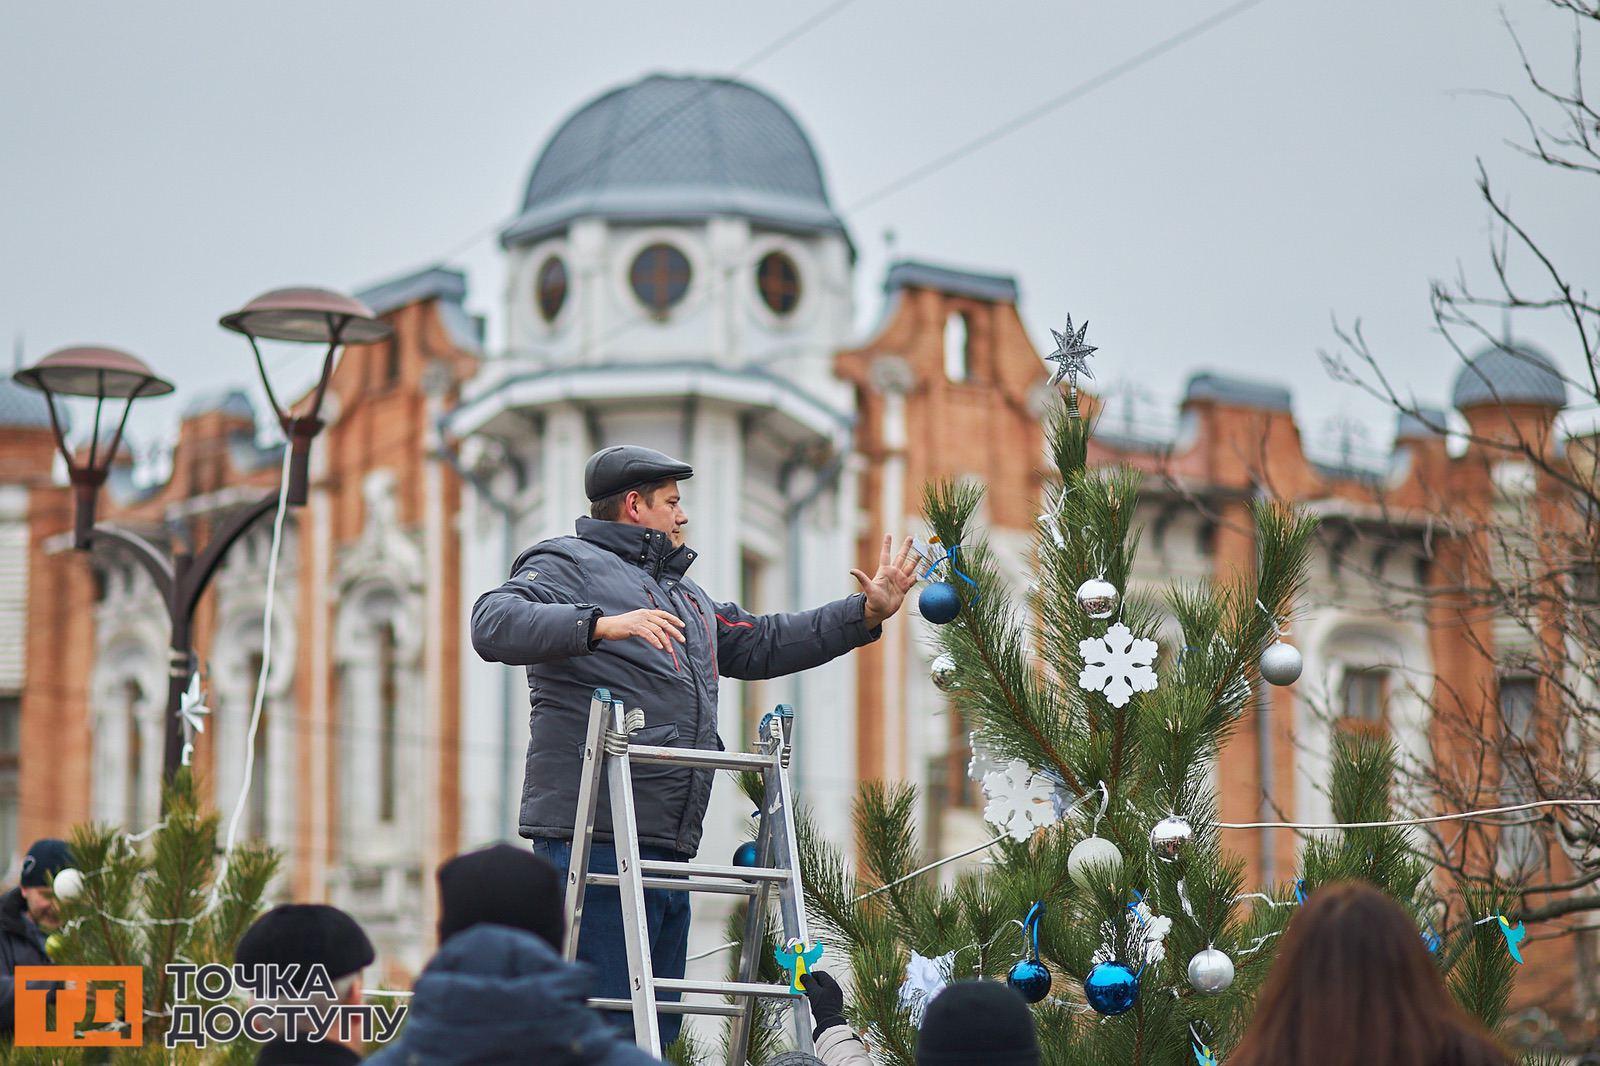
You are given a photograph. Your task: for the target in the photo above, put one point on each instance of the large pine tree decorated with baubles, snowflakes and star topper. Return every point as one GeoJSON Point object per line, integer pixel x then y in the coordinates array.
{"type": "Point", "coordinates": [1111, 899]}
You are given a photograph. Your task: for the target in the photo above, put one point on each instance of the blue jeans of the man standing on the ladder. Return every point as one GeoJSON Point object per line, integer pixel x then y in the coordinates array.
{"type": "Point", "coordinates": [601, 940]}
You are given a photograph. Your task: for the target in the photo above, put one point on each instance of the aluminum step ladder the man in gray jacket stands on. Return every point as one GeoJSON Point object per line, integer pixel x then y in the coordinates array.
{"type": "Point", "coordinates": [609, 748]}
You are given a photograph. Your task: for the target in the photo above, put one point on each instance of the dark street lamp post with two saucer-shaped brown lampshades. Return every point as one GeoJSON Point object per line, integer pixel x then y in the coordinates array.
{"type": "Point", "coordinates": [105, 374]}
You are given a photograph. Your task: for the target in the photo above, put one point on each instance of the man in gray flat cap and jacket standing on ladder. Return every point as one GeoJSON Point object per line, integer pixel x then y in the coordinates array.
{"type": "Point", "coordinates": [614, 609]}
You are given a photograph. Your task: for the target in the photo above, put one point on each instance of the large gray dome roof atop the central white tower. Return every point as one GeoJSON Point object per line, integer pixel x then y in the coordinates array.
{"type": "Point", "coordinates": [678, 148]}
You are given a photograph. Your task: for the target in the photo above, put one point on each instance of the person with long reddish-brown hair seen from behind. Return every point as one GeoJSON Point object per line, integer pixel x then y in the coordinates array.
{"type": "Point", "coordinates": [1354, 985]}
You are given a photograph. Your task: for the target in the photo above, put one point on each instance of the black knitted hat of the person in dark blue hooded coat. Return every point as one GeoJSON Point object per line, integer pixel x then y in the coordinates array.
{"type": "Point", "coordinates": [500, 886]}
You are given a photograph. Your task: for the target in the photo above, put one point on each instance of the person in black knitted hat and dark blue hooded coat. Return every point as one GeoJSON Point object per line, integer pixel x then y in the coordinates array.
{"type": "Point", "coordinates": [498, 990]}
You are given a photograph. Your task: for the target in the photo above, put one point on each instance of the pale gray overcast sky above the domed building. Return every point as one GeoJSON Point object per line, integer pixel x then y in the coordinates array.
{"type": "Point", "coordinates": [1215, 209]}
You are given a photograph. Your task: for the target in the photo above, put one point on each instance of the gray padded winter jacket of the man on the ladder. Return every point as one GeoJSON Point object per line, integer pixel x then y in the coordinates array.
{"type": "Point", "coordinates": [543, 619]}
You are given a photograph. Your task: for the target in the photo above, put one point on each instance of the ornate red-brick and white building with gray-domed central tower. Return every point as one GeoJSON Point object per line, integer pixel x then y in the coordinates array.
{"type": "Point", "coordinates": [710, 315]}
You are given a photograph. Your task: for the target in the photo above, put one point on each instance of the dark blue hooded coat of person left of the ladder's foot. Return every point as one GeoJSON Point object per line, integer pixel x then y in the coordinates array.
{"type": "Point", "coordinates": [497, 995]}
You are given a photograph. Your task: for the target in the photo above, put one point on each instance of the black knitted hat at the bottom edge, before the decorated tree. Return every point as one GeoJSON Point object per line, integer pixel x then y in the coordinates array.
{"type": "Point", "coordinates": [978, 1024]}
